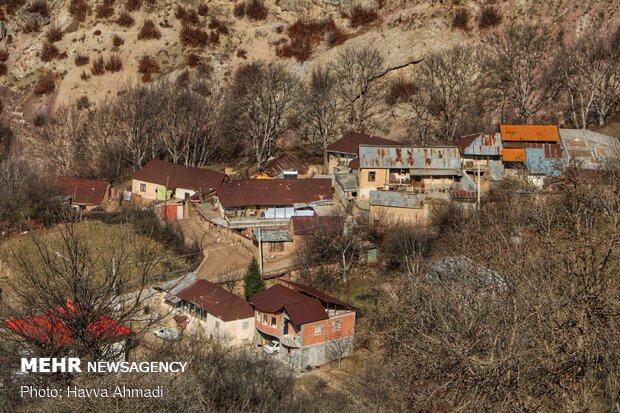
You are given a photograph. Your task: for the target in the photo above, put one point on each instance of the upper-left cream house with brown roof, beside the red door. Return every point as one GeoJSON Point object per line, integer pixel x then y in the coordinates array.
{"type": "Point", "coordinates": [161, 180]}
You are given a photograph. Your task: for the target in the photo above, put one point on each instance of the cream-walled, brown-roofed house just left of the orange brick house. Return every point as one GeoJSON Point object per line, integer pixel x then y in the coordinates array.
{"type": "Point", "coordinates": [211, 309]}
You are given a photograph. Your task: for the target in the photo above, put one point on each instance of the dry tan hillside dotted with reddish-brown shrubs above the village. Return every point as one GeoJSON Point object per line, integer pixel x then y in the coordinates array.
{"type": "Point", "coordinates": [404, 31]}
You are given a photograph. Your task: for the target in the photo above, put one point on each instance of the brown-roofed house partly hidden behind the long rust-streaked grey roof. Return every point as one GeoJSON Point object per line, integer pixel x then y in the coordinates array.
{"type": "Point", "coordinates": [340, 153]}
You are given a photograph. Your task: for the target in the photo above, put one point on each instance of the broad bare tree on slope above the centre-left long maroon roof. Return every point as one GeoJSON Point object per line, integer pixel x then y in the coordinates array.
{"type": "Point", "coordinates": [259, 106]}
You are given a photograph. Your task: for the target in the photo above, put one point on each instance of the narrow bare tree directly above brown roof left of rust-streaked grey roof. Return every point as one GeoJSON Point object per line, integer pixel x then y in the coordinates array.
{"type": "Point", "coordinates": [358, 70]}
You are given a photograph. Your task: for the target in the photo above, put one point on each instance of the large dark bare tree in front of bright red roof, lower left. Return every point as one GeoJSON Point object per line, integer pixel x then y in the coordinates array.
{"type": "Point", "coordinates": [77, 287]}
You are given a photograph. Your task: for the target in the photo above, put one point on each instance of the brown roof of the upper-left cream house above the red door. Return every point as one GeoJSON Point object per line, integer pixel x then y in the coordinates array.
{"type": "Point", "coordinates": [179, 176]}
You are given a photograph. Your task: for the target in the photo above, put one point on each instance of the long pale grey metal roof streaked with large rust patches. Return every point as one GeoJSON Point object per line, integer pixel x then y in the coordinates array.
{"type": "Point", "coordinates": [385, 157]}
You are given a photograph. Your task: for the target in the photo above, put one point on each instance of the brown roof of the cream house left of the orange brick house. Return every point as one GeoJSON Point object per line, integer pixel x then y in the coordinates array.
{"type": "Point", "coordinates": [216, 301]}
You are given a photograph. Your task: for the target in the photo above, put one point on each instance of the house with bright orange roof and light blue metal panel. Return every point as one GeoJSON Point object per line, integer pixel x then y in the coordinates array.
{"type": "Point", "coordinates": [536, 148]}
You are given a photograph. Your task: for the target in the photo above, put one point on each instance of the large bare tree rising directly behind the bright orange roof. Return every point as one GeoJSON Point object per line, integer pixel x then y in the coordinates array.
{"type": "Point", "coordinates": [517, 71]}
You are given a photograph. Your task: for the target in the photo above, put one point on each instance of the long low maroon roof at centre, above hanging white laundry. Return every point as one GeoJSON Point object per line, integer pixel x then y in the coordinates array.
{"type": "Point", "coordinates": [266, 192]}
